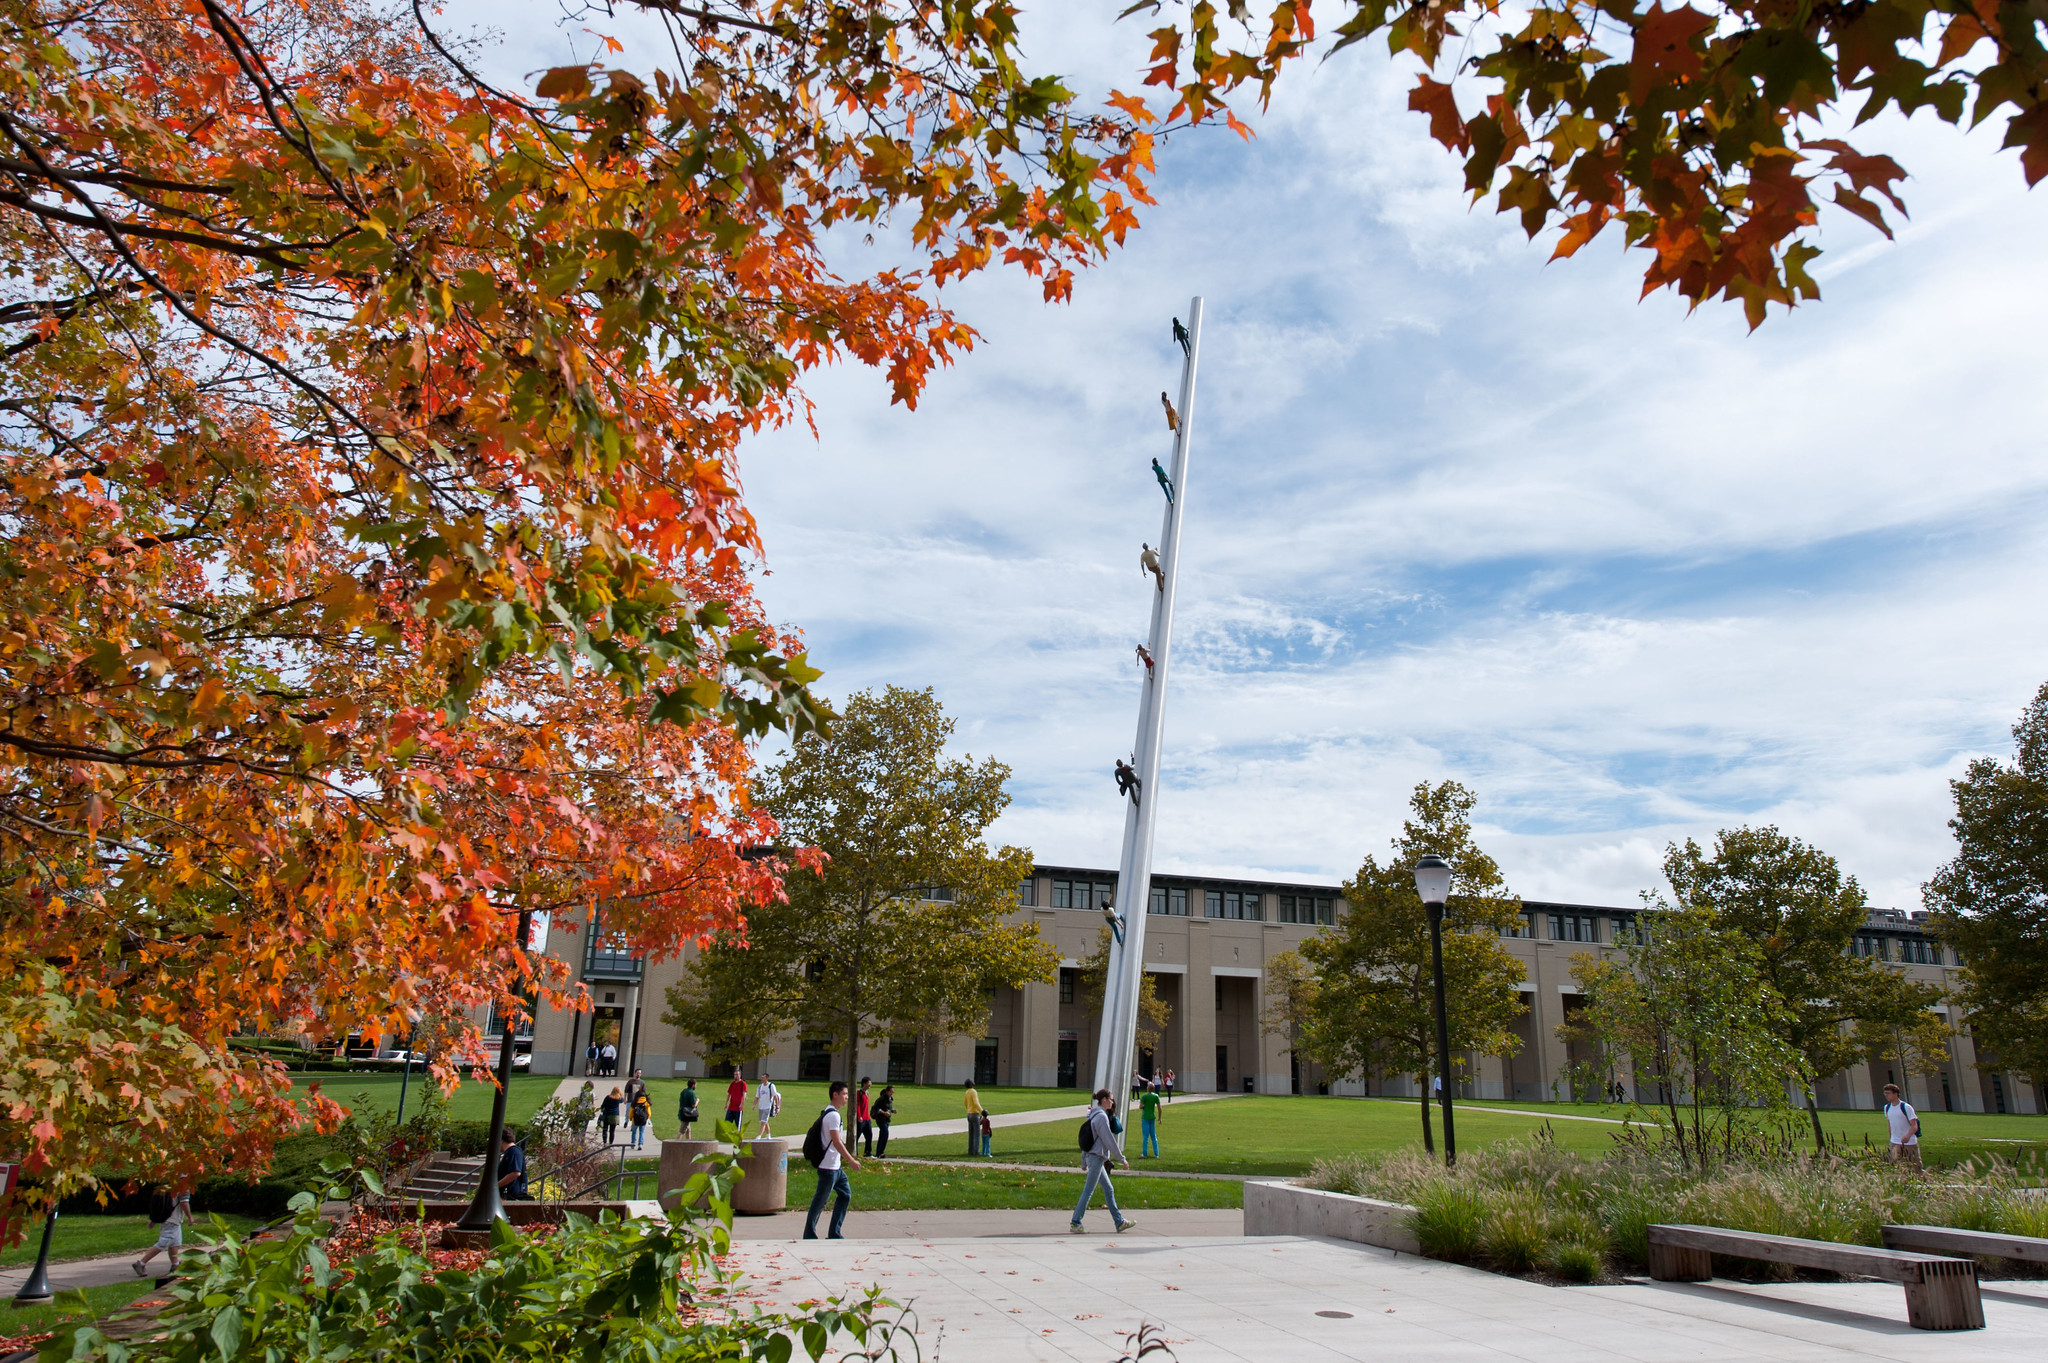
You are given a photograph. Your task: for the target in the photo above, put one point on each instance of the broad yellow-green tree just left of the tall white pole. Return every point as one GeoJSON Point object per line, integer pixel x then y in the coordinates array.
{"type": "Point", "coordinates": [902, 922]}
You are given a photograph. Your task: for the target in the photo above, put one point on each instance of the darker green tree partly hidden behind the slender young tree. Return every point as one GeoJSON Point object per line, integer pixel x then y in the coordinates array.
{"type": "Point", "coordinates": [1799, 914]}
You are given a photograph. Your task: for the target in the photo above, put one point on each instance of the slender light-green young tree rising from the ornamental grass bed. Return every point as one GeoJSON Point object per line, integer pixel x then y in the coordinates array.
{"type": "Point", "coordinates": [1691, 1006]}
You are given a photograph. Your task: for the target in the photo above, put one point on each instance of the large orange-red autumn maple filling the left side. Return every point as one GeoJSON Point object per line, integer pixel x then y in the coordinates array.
{"type": "Point", "coordinates": [376, 564]}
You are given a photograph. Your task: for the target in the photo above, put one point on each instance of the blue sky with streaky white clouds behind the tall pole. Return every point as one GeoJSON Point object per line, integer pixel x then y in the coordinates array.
{"type": "Point", "coordinates": [1455, 513]}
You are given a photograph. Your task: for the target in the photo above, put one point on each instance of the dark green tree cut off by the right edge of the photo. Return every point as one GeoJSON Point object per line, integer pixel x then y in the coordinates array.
{"type": "Point", "coordinates": [1992, 902]}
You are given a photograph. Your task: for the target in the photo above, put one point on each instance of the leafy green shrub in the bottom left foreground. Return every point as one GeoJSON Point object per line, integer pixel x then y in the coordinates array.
{"type": "Point", "coordinates": [601, 1292]}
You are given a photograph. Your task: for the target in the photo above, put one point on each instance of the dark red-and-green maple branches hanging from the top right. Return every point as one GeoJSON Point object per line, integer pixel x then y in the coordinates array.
{"type": "Point", "coordinates": [1709, 134]}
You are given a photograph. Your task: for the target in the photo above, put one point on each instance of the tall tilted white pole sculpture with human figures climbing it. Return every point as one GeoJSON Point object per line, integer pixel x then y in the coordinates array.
{"type": "Point", "coordinates": [1115, 1051]}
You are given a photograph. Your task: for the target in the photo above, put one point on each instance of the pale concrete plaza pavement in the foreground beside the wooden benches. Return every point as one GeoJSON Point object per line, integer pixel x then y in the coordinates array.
{"type": "Point", "coordinates": [1035, 1299]}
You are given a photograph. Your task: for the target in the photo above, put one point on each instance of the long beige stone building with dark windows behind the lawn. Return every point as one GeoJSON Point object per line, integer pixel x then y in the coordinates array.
{"type": "Point", "coordinates": [1207, 944]}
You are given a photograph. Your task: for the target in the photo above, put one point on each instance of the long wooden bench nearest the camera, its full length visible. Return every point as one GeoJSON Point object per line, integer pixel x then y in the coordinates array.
{"type": "Point", "coordinates": [1940, 1290]}
